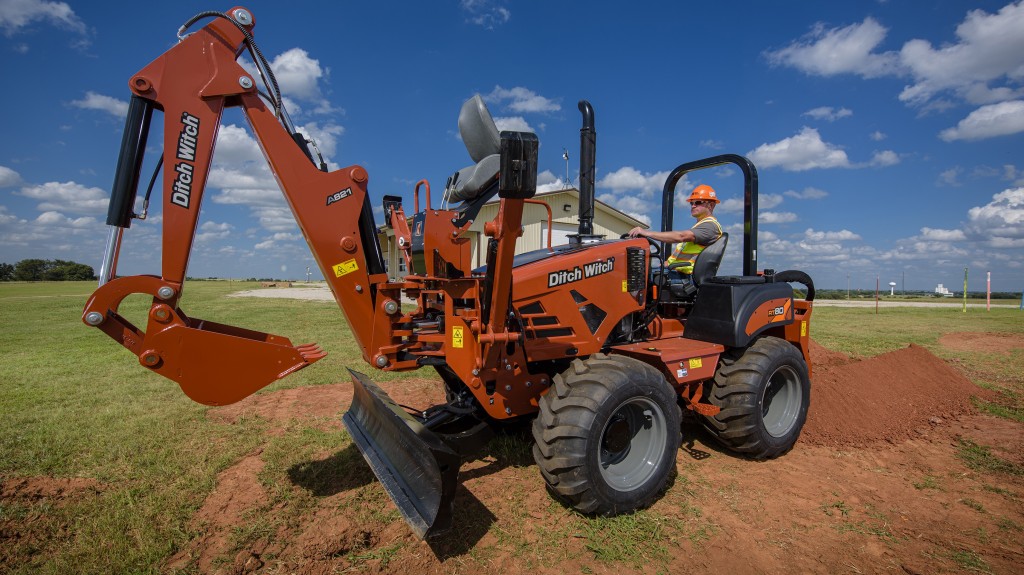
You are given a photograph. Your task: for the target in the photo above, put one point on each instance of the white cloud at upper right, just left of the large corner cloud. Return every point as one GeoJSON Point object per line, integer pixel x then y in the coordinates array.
{"type": "Point", "coordinates": [839, 51]}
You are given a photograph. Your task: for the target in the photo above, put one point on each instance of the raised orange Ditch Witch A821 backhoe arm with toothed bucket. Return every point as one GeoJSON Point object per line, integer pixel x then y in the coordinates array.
{"type": "Point", "coordinates": [192, 84]}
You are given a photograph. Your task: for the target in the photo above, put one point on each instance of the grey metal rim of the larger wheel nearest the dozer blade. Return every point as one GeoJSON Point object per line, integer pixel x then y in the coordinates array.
{"type": "Point", "coordinates": [632, 445]}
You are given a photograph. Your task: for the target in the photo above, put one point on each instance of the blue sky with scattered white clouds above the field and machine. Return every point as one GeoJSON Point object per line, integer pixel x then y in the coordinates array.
{"type": "Point", "coordinates": [889, 136]}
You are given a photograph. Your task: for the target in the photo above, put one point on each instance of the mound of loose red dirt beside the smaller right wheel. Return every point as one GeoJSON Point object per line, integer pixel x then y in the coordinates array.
{"type": "Point", "coordinates": [891, 399]}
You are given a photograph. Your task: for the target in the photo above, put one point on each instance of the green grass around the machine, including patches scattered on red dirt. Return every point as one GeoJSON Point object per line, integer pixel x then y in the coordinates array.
{"type": "Point", "coordinates": [76, 405]}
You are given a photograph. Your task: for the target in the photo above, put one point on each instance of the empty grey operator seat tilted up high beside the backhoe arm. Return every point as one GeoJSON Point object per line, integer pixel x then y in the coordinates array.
{"type": "Point", "coordinates": [484, 144]}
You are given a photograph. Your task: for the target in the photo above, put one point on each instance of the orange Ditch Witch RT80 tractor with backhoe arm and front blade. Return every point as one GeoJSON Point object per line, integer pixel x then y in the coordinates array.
{"type": "Point", "coordinates": [588, 340]}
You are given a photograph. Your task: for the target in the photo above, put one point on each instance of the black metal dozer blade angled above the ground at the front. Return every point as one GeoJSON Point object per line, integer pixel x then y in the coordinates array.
{"type": "Point", "coordinates": [417, 469]}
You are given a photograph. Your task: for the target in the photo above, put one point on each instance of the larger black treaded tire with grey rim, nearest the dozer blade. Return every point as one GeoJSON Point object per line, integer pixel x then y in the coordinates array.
{"type": "Point", "coordinates": [607, 435]}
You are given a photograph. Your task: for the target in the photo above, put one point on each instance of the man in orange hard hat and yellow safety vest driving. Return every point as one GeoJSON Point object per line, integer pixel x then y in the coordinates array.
{"type": "Point", "coordinates": [692, 242]}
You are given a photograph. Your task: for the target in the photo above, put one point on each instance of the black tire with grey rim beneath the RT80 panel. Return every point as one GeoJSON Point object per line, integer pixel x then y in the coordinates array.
{"type": "Point", "coordinates": [764, 392]}
